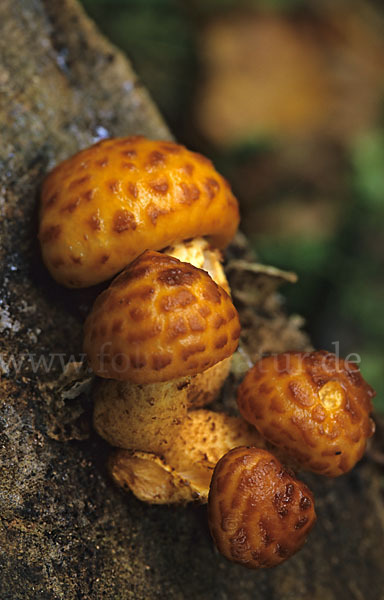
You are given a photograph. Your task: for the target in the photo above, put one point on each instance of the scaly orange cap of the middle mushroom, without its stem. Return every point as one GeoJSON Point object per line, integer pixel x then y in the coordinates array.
{"type": "Point", "coordinates": [159, 320]}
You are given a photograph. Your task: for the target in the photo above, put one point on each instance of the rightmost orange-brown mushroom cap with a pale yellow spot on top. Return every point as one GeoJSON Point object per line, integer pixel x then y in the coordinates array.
{"type": "Point", "coordinates": [314, 405]}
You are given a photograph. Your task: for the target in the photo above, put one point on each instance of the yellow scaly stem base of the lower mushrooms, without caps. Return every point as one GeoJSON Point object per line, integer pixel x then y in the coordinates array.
{"type": "Point", "coordinates": [183, 474]}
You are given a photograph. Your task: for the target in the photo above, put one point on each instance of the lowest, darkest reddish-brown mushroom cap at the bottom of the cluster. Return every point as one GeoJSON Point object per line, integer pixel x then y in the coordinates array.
{"type": "Point", "coordinates": [259, 515]}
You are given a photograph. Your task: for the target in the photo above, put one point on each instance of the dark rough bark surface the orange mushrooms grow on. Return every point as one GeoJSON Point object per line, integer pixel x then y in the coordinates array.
{"type": "Point", "coordinates": [65, 531]}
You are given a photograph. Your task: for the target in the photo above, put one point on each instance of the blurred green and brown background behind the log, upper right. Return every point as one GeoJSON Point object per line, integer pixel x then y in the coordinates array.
{"type": "Point", "coordinates": [287, 98]}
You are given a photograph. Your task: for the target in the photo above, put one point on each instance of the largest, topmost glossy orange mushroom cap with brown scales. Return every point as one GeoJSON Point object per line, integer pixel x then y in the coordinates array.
{"type": "Point", "coordinates": [104, 206]}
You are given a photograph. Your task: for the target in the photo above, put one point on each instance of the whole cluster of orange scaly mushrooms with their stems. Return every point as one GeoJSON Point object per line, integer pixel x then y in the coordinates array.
{"type": "Point", "coordinates": [160, 339]}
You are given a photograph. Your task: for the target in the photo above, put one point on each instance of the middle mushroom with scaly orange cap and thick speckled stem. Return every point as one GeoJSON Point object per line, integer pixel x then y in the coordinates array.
{"type": "Point", "coordinates": [159, 324]}
